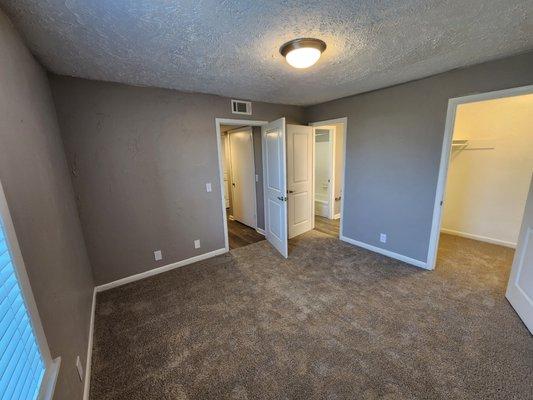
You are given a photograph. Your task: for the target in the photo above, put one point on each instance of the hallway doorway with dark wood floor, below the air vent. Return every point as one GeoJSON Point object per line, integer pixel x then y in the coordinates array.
{"type": "Point", "coordinates": [240, 153]}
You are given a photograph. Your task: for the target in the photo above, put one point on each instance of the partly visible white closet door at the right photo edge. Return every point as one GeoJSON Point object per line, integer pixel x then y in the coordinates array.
{"type": "Point", "coordinates": [520, 287]}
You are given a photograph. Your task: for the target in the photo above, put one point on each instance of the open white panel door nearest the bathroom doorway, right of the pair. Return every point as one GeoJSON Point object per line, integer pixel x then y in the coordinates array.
{"type": "Point", "coordinates": [300, 178]}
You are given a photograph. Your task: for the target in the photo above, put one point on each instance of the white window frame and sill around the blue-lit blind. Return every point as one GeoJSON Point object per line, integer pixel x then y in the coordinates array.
{"type": "Point", "coordinates": [46, 390]}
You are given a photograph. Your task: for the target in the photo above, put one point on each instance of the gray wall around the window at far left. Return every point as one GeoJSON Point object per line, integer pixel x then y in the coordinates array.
{"type": "Point", "coordinates": [34, 173]}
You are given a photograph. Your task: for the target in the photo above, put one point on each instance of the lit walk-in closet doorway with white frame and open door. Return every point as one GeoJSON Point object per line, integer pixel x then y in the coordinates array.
{"type": "Point", "coordinates": [484, 185]}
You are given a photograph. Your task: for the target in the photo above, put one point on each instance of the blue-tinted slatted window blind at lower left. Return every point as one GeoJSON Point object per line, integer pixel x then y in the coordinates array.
{"type": "Point", "coordinates": [21, 363]}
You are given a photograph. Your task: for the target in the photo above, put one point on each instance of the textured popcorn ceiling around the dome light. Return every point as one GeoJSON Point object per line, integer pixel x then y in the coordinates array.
{"type": "Point", "coordinates": [231, 47]}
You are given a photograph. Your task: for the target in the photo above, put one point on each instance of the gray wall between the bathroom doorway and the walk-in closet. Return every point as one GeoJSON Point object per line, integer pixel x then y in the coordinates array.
{"type": "Point", "coordinates": [394, 143]}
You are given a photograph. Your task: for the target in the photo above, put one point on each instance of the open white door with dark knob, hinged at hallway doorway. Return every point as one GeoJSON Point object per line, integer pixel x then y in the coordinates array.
{"type": "Point", "coordinates": [275, 184]}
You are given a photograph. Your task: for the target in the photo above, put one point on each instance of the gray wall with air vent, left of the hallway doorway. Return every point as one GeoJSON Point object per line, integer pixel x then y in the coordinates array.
{"type": "Point", "coordinates": [140, 159]}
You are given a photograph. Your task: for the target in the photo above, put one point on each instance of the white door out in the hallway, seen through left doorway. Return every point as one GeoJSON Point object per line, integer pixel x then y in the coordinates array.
{"type": "Point", "coordinates": [243, 200]}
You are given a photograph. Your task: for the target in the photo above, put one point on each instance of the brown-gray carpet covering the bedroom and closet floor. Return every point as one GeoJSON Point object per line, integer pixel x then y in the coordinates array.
{"type": "Point", "coordinates": [332, 322]}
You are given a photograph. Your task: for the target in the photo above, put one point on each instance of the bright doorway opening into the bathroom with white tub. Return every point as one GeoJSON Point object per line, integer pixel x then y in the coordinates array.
{"type": "Point", "coordinates": [329, 149]}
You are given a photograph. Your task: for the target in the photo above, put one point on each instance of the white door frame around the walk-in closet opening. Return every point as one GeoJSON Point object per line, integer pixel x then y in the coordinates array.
{"type": "Point", "coordinates": [445, 159]}
